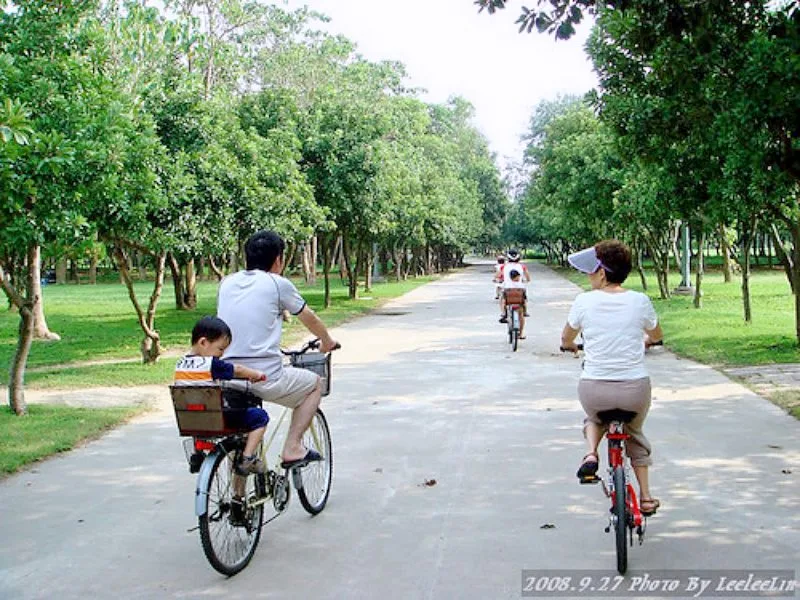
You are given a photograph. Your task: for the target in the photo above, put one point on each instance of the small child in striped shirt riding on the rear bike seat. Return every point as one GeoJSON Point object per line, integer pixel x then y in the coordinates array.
{"type": "Point", "coordinates": [202, 366]}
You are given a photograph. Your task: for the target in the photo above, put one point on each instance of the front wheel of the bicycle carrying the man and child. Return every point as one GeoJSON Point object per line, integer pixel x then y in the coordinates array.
{"type": "Point", "coordinates": [317, 476]}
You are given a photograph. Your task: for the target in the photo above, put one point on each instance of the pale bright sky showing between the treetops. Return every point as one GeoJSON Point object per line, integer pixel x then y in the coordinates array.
{"type": "Point", "coordinates": [449, 49]}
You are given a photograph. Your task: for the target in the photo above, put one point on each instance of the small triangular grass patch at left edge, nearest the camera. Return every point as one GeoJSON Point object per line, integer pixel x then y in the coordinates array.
{"type": "Point", "coordinates": [47, 430]}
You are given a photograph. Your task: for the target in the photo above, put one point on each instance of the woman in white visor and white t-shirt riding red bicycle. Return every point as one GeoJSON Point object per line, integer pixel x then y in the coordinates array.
{"type": "Point", "coordinates": [617, 325]}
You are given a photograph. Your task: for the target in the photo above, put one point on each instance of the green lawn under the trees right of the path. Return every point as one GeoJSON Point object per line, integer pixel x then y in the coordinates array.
{"type": "Point", "coordinates": [717, 333]}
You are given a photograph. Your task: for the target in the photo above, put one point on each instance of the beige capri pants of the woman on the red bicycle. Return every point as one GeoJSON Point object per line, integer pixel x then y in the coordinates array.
{"type": "Point", "coordinates": [597, 395]}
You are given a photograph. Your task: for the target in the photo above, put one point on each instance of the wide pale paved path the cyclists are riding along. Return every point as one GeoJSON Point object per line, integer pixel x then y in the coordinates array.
{"type": "Point", "coordinates": [427, 390]}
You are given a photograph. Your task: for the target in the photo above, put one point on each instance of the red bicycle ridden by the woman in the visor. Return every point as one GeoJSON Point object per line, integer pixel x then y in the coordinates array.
{"type": "Point", "coordinates": [626, 517]}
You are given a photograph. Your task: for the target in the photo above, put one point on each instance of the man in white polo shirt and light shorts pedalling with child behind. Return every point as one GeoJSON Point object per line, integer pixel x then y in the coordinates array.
{"type": "Point", "coordinates": [251, 302]}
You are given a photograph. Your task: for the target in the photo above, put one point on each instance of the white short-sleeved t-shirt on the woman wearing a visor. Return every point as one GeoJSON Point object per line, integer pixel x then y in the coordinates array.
{"type": "Point", "coordinates": [613, 327]}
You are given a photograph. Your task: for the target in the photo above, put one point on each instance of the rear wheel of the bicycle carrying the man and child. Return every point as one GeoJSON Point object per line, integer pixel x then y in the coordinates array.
{"type": "Point", "coordinates": [230, 534]}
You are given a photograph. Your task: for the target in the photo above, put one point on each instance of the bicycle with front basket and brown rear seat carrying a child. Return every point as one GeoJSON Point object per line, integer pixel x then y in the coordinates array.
{"type": "Point", "coordinates": [231, 508]}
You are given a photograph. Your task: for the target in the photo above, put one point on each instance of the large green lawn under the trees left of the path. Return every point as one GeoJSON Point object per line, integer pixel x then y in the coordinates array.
{"type": "Point", "coordinates": [98, 323]}
